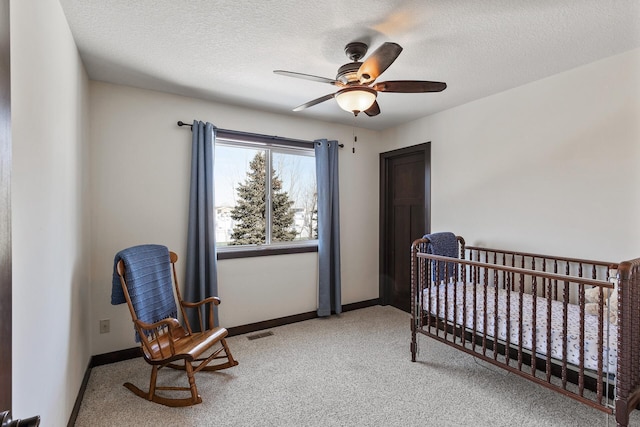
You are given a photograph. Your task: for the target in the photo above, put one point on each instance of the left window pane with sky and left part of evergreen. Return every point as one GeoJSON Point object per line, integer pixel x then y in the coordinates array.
{"type": "Point", "coordinates": [240, 196]}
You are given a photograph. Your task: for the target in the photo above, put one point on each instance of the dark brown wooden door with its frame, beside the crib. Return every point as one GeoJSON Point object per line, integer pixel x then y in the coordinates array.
{"type": "Point", "coordinates": [404, 217]}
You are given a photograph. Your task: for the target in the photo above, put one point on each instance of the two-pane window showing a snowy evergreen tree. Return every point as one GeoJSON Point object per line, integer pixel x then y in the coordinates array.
{"type": "Point", "coordinates": [256, 210]}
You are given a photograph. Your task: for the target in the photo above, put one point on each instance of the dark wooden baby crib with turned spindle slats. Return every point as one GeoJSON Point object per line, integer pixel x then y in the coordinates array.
{"type": "Point", "coordinates": [489, 302]}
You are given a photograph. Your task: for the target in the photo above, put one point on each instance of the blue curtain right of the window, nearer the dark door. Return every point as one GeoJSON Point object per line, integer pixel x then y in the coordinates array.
{"type": "Point", "coordinates": [329, 293]}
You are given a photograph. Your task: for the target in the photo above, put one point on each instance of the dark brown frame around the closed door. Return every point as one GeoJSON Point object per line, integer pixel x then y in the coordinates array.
{"type": "Point", "coordinates": [385, 158]}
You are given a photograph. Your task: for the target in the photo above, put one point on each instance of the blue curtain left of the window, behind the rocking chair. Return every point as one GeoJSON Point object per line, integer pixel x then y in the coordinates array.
{"type": "Point", "coordinates": [201, 265]}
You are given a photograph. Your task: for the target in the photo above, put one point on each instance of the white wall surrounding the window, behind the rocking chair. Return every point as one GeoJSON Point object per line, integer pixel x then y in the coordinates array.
{"type": "Point", "coordinates": [140, 183]}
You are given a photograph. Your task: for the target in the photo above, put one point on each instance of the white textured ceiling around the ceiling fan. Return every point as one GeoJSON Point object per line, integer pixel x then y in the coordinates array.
{"type": "Point", "coordinates": [226, 51]}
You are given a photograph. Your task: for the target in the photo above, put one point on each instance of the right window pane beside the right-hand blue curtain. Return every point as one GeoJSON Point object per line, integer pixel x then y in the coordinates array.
{"type": "Point", "coordinates": [294, 207]}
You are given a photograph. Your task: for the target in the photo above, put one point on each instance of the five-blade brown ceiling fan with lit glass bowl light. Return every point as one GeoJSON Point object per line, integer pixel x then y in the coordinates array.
{"type": "Point", "coordinates": [358, 91]}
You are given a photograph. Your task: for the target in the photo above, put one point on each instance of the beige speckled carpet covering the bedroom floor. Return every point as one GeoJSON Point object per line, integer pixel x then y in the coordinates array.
{"type": "Point", "coordinates": [349, 370]}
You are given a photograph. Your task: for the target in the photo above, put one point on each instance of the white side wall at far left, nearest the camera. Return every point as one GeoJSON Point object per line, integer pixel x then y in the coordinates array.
{"type": "Point", "coordinates": [50, 231]}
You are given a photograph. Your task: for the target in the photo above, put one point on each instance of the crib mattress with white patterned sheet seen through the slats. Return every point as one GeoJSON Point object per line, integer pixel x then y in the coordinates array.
{"type": "Point", "coordinates": [610, 351]}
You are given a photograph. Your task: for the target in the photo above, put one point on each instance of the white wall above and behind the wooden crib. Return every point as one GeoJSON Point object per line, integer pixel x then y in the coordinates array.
{"type": "Point", "coordinates": [550, 167]}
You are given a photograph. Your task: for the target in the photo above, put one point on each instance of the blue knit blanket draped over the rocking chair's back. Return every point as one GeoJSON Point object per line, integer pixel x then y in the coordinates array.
{"type": "Point", "coordinates": [149, 283]}
